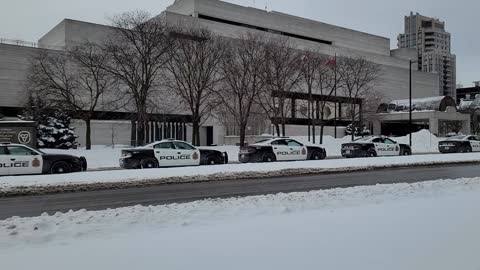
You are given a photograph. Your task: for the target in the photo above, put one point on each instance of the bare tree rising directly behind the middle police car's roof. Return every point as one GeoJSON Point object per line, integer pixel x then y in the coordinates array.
{"type": "Point", "coordinates": [282, 75]}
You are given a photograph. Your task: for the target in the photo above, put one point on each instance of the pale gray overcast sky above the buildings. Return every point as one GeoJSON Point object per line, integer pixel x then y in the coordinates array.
{"type": "Point", "coordinates": [30, 19]}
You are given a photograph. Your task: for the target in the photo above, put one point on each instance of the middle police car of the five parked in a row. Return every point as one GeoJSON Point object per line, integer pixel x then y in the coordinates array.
{"type": "Point", "coordinates": [280, 149]}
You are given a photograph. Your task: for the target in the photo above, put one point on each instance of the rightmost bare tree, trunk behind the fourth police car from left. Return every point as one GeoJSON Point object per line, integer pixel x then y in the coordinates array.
{"type": "Point", "coordinates": [359, 77]}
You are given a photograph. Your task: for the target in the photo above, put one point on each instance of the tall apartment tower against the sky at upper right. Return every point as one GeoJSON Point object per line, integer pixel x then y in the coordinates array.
{"type": "Point", "coordinates": [433, 44]}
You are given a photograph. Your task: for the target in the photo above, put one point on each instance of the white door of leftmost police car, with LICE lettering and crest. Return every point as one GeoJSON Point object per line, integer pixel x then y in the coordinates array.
{"type": "Point", "coordinates": [24, 160]}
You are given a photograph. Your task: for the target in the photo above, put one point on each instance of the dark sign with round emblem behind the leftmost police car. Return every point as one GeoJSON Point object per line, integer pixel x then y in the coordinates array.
{"type": "Point", "coordinates": [19, 132]}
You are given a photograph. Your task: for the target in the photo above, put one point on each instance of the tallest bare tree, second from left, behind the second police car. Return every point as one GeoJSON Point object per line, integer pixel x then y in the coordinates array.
{"type": "Point", "coordinates": [139, 48]}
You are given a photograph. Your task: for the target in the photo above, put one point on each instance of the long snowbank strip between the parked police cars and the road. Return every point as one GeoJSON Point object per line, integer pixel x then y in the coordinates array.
{"type": "Point", "coordinates": [30, 184]}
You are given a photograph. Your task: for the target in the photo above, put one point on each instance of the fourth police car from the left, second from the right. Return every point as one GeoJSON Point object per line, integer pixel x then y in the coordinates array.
{"type": "Point", "coordinates": [374, 146]}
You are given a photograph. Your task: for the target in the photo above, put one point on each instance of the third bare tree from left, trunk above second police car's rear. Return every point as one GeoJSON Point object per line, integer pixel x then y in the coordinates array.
{"type": "Point", "coordinates": [194, 72]}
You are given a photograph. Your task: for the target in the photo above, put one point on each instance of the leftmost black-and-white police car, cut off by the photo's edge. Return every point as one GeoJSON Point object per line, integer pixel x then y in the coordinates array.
{"type": "Point", "coordinates": [18, 159]}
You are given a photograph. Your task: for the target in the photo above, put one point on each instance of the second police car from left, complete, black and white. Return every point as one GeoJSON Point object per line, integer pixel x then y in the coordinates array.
{"type": "Point", "coordinates": [170, 153]}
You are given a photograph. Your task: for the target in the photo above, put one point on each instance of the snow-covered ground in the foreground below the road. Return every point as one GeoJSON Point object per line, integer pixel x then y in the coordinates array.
{"type": "Point", "coordinates": [430, 225]}
